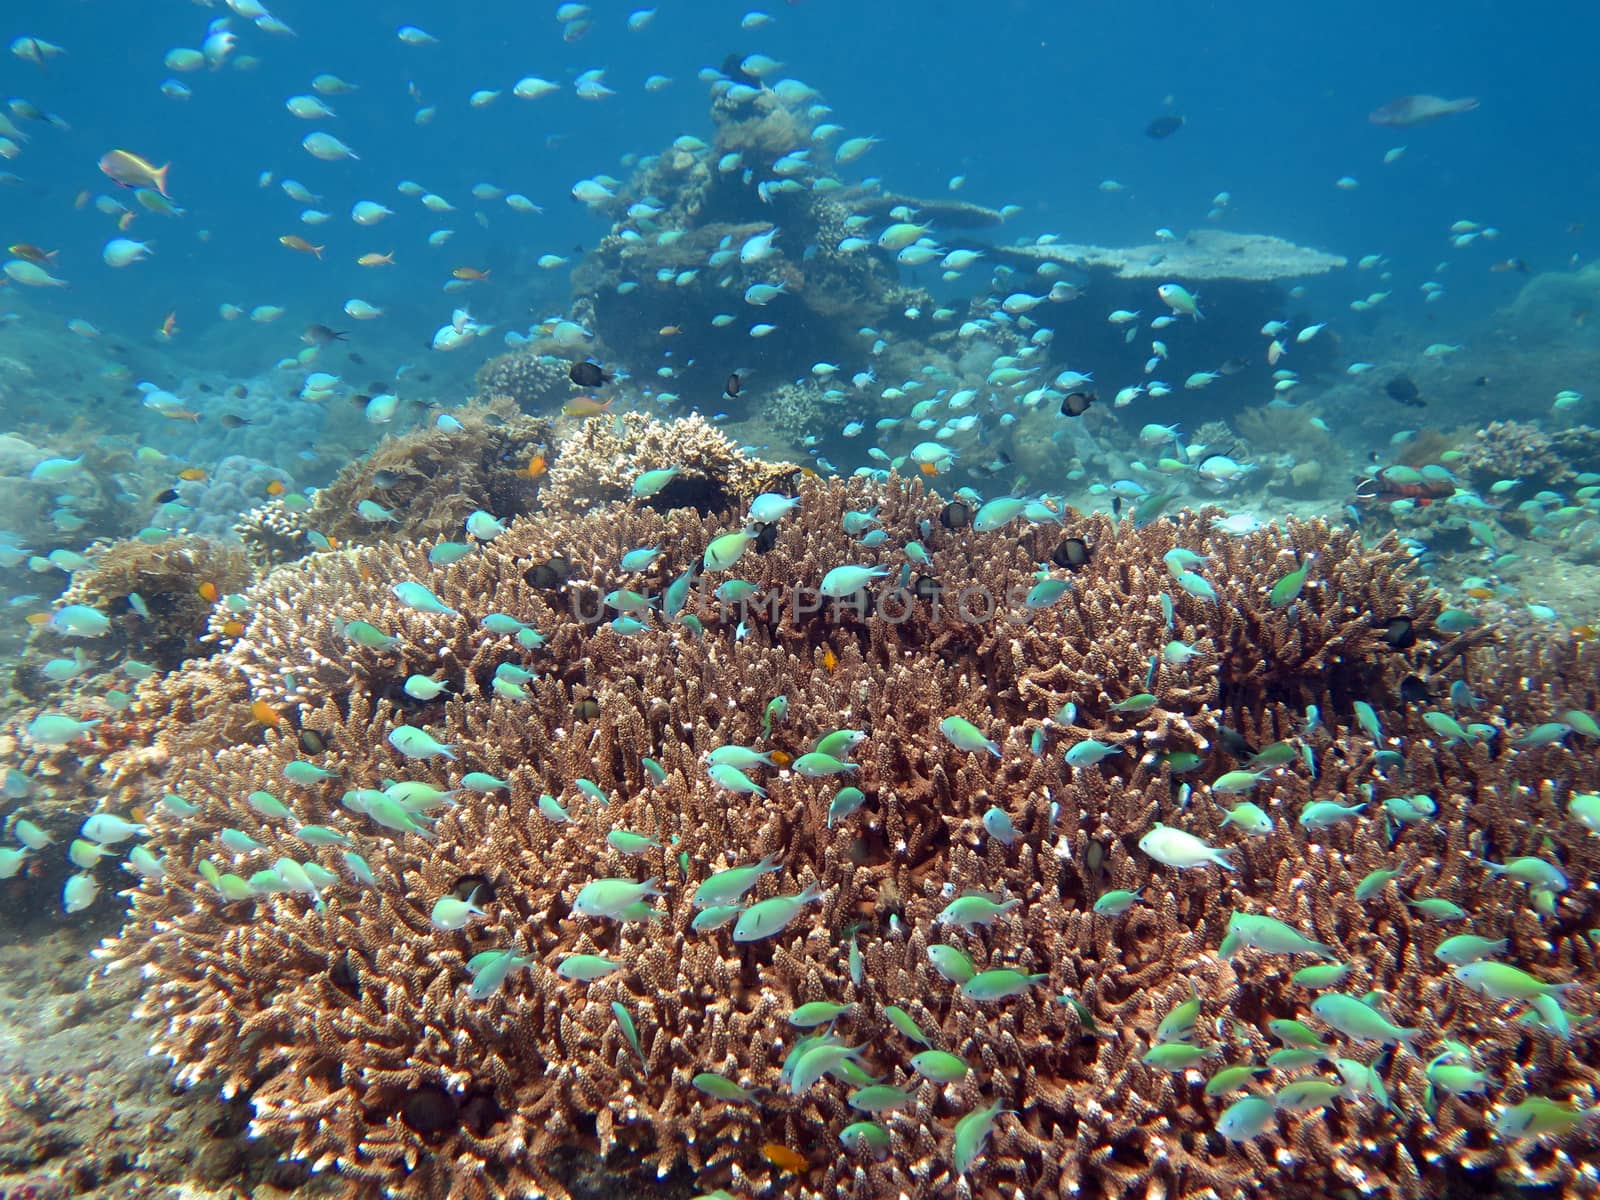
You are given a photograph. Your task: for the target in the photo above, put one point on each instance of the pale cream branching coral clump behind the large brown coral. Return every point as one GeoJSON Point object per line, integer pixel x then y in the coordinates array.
{"type": "Point", "coordinates": [601, 460]}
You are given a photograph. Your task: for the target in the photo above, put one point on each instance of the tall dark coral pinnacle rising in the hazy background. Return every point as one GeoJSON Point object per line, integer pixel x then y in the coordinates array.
{"type": "Point", "coordinates": [657, 294]}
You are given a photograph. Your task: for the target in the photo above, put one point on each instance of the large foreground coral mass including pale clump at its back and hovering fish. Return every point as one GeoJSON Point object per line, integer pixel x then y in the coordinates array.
{"type": "Point", "coordinates": [1014, 852]}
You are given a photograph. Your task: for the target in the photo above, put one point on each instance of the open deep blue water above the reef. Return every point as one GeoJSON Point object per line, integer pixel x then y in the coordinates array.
{"type": "Point", "coordinates": [1034, 102]}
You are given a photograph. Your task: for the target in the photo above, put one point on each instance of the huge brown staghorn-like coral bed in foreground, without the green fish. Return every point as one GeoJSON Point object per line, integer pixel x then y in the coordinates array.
{"type": "Point", "coordinates": [351, 1026]}
